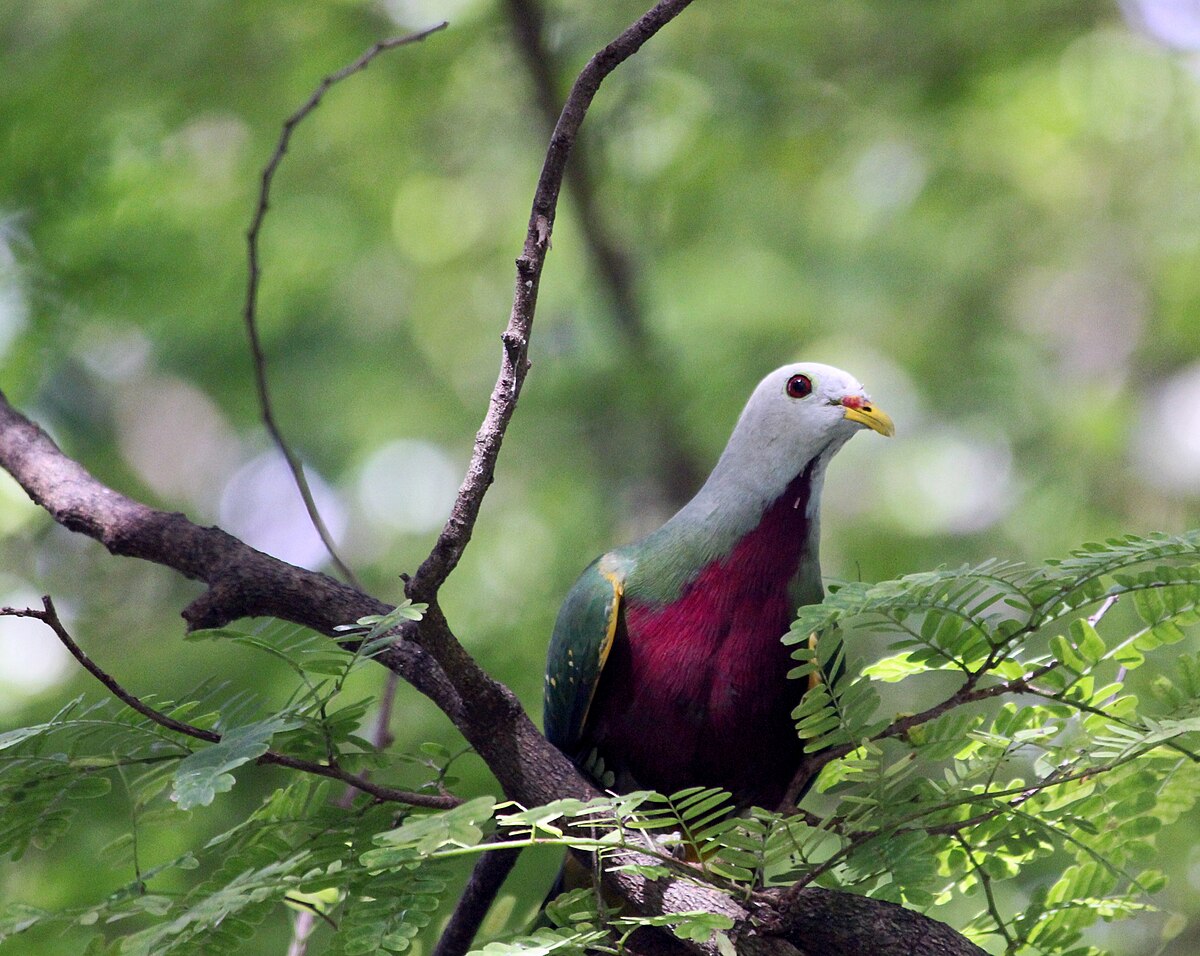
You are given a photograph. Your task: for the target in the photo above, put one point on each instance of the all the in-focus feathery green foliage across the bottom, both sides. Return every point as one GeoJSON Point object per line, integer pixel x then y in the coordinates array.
{"type": "Point", "coordinates": [994, 723]}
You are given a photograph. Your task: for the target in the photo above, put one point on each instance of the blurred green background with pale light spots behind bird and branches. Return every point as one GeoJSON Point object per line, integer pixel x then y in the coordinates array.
{"type": "Point", "coordinates": [988, 213]}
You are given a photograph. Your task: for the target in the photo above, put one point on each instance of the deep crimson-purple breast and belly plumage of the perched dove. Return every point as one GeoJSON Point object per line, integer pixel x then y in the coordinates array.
{"type": "Point", "coordinates": [697, 690]}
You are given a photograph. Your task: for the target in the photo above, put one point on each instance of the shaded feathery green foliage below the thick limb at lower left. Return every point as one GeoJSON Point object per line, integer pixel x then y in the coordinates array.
{"type": "Point", "coordinates": [299, 849]}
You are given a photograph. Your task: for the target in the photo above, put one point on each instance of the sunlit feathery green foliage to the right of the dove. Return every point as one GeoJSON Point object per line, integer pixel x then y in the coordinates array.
{"type": "Point", "coordinates": [1040, 755]}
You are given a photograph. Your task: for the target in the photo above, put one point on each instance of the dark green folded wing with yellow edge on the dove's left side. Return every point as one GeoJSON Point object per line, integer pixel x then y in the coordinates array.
{"type": "Point", "coordinates": [579, 650]}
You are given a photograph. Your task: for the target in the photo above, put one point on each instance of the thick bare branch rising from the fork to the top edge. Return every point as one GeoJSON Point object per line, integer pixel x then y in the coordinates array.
{"type": "Point", "coordinates": [515, 354]}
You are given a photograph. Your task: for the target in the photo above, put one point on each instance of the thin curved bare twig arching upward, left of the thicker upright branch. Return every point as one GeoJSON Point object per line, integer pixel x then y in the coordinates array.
{"type": "Point", "coordinates": [250, 312]}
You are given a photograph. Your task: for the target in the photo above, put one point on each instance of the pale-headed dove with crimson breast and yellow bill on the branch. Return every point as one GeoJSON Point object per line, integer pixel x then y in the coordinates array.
{"type": "Point", "coordinates": [665, 669]}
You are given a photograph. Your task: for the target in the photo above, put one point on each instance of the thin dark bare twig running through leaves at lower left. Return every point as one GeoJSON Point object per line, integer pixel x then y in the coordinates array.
{"type": "Point", "coordinates": [49, 616]}
